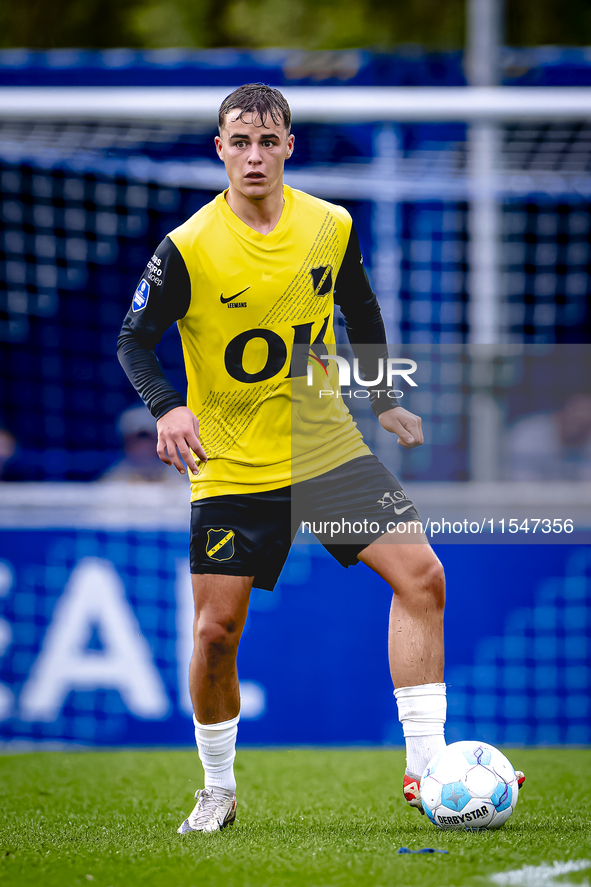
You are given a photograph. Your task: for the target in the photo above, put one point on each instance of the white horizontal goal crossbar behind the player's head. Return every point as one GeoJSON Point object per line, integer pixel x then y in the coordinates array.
{"type": "Point", "coordinates": [345, 104]}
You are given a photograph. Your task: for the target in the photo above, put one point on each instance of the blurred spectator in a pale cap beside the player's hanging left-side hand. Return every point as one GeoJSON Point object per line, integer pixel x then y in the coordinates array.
{"type": "Point", "coordinates": [140, 463]}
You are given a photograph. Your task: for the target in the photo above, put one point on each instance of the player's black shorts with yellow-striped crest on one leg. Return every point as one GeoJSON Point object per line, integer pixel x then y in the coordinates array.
{"type": "Point", "coordinates": [250, 534]}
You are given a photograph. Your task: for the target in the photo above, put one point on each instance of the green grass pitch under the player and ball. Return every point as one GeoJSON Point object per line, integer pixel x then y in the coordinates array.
{"type": "Point", "coordinates": [306, 818]}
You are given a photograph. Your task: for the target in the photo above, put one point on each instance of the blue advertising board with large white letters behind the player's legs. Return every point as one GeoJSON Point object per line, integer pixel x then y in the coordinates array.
{"type": "Point", "coordinates": [95, 639]}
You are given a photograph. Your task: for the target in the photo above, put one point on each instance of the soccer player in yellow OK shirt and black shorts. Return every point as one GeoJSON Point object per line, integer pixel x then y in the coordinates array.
{"type": "Point", "coordinates": [251, 279]}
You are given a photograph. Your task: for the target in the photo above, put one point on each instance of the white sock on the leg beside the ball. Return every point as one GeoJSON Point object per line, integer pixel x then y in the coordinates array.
{"type": "Point", "coordinates": [421, 711]}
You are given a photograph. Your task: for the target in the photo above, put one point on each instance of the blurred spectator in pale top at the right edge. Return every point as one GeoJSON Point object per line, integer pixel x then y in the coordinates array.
{"type": "Point", "coordinates": [552, 446]}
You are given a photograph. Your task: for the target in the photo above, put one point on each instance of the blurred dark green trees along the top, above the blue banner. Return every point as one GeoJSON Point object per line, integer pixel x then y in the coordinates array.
{"type": "Point", "coordinates": [301, 24]}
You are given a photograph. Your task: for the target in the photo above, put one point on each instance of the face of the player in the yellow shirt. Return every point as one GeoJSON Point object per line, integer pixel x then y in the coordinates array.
{"type": "Point", "coordinates": [254, 155]}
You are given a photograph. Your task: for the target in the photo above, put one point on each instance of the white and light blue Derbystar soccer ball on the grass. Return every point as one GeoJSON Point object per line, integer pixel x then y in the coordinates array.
{"type": "Point", "coordinates": [471, 786]}
